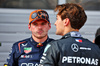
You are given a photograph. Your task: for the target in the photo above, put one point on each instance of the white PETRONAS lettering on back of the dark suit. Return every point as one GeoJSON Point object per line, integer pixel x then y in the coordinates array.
{"type": "Point", "coordinates": [80, 60]}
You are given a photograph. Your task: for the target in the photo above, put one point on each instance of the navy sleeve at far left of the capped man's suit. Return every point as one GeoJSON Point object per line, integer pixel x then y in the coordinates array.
{"type": "Point", "coordinates": [12, 60]}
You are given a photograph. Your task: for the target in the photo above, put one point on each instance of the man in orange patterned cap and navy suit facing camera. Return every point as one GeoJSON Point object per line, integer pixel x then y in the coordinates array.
{"type": "Point", "coordinates": [28, 52]}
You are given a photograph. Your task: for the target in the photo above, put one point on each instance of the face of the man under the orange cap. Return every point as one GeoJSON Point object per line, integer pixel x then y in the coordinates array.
{"type": "Point", "coordinates": [39, 29]}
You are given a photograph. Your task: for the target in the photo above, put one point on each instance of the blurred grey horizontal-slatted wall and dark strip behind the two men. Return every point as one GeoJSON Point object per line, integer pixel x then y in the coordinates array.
{"type": "Point", "coordinates": [14, 19]}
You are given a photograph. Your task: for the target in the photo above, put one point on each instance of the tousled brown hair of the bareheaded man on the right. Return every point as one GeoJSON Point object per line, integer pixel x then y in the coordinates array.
{"type": "Point", "coordinates": [74, 12]}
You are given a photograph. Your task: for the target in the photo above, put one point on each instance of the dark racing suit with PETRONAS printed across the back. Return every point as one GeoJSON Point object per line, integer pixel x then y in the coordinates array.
{"type": "Point", "coordinates": [71, 50]}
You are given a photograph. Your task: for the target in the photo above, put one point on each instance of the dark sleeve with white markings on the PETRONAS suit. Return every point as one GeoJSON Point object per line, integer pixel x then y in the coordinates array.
{"type": "Point", "coordinates": [50, 55]}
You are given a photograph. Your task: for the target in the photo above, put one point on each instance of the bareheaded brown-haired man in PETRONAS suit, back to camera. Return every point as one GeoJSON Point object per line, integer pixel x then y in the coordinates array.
{"type": "Point", "coordinates": [72, 49]}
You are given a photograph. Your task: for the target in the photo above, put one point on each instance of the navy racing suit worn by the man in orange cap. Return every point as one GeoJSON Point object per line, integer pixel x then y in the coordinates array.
{"type": "Point", "coordinates": [26, 53]}
